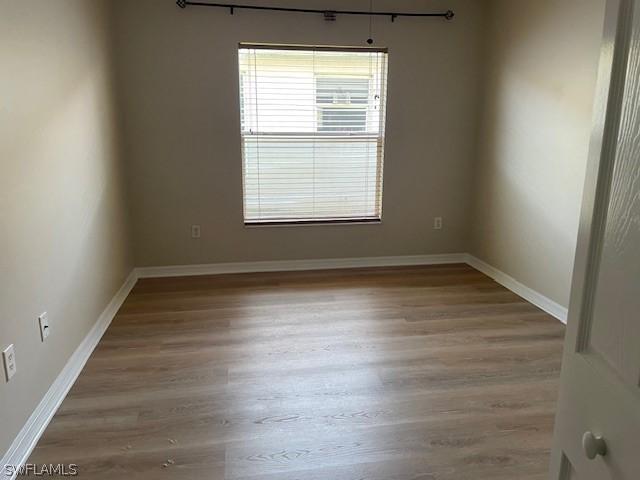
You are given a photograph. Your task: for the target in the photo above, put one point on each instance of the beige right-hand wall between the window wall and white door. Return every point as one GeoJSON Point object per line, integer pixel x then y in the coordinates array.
{"type": "Point", "coordinates": [542, 58]}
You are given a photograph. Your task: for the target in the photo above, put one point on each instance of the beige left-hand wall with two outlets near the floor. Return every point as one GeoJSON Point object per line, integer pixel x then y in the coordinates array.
{"type": "Point", "coordinates": [63, 241]}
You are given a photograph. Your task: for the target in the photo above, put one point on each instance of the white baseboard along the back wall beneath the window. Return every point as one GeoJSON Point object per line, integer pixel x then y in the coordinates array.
{"type": "Point", "coordinates": [295, 265]}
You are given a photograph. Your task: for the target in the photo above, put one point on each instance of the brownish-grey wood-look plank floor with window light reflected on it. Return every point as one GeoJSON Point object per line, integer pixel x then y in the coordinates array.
{"type": "Point", "coordinates": [379, 374]}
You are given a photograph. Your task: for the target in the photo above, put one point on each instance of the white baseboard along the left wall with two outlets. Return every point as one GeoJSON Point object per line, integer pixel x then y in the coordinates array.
{"type": "Point", "coordinates": [27, 438]}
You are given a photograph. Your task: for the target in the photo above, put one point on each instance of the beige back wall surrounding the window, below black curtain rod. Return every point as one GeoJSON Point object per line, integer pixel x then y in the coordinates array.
{"type": "Point", "coordinates": [180, 94]}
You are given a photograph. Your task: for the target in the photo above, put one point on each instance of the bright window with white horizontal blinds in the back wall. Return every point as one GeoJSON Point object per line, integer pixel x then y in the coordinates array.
{"type": "Point", "coordinates": [312, 124]}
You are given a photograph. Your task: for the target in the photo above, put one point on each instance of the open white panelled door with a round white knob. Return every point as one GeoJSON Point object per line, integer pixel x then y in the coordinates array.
{"type": "Point", "coordinates": [600, 385]}
